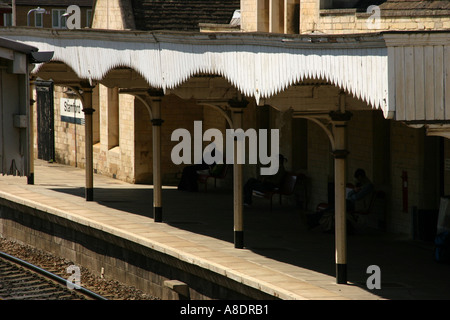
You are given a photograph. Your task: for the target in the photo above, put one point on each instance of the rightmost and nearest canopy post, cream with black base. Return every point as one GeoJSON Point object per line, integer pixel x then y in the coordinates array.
{"type": "Point", "coordinates": [339, 122]}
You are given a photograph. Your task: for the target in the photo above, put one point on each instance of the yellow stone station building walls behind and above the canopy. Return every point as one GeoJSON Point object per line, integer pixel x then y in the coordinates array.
{"type": "Point", "coordinates": [404, 152]}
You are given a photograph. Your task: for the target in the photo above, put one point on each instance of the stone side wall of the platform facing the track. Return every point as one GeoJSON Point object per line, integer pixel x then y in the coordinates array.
{"type": "Point", "coordinates": [121, 259]}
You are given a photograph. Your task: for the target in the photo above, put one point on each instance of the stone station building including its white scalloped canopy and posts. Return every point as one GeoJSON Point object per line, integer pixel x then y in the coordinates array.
{"type": "Point", "coordinates": [347, 84]}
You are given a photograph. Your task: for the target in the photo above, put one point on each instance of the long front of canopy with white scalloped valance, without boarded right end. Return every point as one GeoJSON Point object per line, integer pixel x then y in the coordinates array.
{"type": "Point", "coordinates": [260, 66]}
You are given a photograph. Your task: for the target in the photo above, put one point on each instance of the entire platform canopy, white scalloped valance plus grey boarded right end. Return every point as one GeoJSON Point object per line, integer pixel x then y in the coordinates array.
{"type": "Point", "coordinates": [371, 67]}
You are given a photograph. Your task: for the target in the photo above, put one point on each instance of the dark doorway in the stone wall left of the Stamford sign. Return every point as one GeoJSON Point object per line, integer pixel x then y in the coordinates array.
{"type": "Point", "coordinates": [45, 119]}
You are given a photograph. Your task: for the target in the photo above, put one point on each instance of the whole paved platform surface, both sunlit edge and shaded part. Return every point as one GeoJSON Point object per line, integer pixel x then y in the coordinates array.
{"type": "Point", "coordinates": [281, 256]}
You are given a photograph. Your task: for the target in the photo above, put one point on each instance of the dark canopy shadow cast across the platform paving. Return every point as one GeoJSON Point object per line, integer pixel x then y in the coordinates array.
{"type": "Point", "coordinates": [408, 269]}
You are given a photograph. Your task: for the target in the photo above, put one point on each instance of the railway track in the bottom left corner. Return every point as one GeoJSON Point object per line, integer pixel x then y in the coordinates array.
{"type": "Point", "coordinates": [20, 280]}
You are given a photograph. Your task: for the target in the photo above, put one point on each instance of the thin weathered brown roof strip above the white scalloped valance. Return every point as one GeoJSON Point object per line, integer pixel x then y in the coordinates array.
{"type": "Point", "coordinates": [366, 40]}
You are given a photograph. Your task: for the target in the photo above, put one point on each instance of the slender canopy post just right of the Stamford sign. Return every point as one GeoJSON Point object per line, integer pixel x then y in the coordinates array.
{"type": "Point", "coordinates": [89, 167]}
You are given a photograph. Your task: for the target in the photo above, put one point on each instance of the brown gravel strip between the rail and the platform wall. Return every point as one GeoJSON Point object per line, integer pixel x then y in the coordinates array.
{"type": "Point", "coordinates": [110, 289]}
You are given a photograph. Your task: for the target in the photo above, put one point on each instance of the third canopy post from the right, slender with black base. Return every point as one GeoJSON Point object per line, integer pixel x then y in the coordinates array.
{"type": "Point", "coordinates": [156, 133]}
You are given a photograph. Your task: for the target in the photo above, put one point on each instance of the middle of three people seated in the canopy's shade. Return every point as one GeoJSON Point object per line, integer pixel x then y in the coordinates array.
{"type": "Point", "coordinates": [265, 184]}
